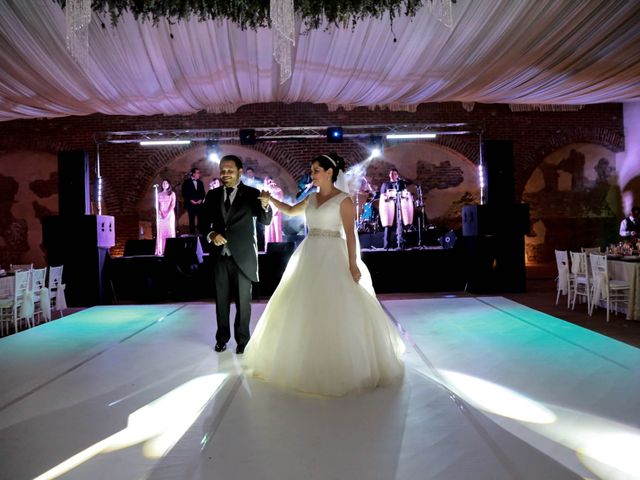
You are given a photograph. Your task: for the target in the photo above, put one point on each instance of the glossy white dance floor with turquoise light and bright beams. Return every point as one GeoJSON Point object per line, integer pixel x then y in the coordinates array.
{"type": "Point", "coordinates": [493, 390]}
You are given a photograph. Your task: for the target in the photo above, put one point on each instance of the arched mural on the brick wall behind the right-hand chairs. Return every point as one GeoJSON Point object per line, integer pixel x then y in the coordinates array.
{"type": "Point", "coordinates": [574, 201]}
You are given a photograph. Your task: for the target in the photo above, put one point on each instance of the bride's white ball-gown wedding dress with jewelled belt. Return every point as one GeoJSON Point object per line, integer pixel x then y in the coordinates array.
{"type": "Point", "coordinates": [321, 332]}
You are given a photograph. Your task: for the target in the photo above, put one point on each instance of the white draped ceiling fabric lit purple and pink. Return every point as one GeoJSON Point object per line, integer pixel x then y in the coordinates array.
{"type": "Point", "coordinates": [498, 51]}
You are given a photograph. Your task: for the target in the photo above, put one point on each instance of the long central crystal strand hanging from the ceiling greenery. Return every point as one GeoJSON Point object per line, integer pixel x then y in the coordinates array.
{"type": "Point", "coordinates": [283, 24]}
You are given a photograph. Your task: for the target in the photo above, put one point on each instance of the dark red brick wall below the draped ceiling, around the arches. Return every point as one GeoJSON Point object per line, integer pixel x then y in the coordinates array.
{"type": "Point", "coordinates": [128, 170]}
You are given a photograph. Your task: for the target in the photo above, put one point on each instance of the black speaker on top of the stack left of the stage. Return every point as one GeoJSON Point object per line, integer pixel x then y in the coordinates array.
{"type": "Point", "coordinates": [73, 183]}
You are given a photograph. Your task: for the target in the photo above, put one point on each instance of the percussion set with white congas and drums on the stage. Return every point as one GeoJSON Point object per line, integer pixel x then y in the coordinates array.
{"type": "Point", "coordinates": [375, 210]}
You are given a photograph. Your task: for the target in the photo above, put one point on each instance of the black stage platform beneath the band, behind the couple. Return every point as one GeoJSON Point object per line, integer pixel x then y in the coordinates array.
{"type": "Point", "coordinates": [149, 278]}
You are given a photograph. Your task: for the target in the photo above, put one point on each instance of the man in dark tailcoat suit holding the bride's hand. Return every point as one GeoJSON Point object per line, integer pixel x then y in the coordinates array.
{"type": "Point", "coordinates": [230, 214]}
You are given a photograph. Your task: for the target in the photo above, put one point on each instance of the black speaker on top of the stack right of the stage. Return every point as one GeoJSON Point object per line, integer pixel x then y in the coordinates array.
{"type": "Point", "coordinates": [498, 160]}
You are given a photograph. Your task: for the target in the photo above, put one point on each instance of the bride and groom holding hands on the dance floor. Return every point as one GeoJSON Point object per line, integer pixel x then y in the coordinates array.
{"type": "Point", "coordinates": [323, 331]}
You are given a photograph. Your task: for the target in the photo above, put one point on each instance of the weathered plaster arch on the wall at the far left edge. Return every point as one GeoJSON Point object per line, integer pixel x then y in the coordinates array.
{"type": "Point", "coordinates": [28, 191]}
